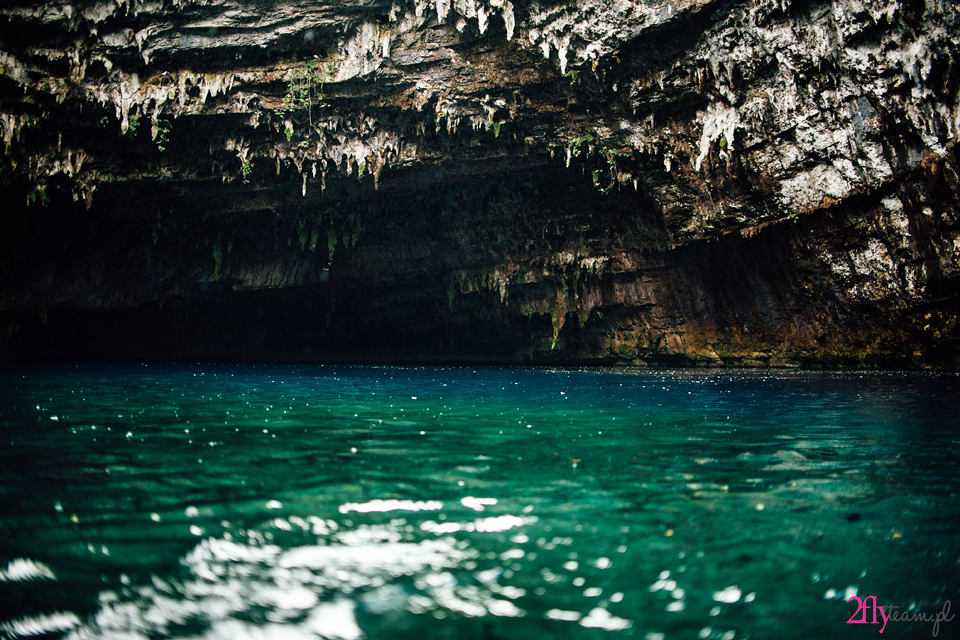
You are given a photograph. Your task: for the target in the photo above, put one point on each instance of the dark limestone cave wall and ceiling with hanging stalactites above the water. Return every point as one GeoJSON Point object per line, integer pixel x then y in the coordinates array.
{"type": "Point", "coordinates": [708, 182]}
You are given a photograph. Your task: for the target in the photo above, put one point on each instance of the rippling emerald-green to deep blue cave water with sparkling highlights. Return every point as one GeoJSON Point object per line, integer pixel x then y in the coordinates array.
{"type": "Point", "coordinates": [377, 502]}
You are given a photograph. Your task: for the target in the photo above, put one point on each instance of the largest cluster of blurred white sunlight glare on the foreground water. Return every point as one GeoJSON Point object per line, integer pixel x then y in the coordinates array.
{"type": "Point", "coordinates": [254, 589]}
